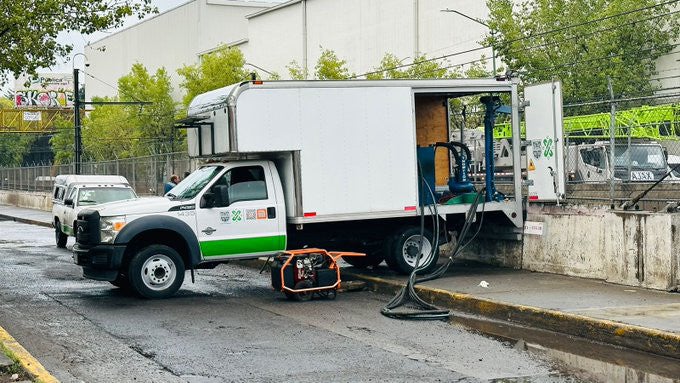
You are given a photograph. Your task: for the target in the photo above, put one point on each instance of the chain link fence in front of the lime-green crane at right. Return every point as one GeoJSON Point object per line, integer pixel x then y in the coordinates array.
{"type": "Point", "coordinates": [645, 136]}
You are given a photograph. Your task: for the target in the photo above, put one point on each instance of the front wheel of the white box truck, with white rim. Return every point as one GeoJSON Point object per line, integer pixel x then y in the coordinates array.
{"type": "Point", "coordinates": [156, 272]}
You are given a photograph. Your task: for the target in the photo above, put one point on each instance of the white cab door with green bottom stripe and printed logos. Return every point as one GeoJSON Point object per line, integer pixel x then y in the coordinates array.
{"type": "Point", "coordinates": [250, 223]}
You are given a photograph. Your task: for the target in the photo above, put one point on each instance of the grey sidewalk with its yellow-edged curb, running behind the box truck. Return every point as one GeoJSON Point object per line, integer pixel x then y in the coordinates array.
{"type": "Point", "coordinates": [637, 318]}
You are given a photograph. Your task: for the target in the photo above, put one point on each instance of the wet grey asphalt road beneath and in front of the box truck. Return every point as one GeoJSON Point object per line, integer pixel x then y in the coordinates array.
{"type": "Point", "coordinates": [228, 326]}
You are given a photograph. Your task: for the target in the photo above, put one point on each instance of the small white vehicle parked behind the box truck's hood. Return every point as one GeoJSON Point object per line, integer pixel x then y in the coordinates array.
{"type": "Point", "coordinates": [72, 193]}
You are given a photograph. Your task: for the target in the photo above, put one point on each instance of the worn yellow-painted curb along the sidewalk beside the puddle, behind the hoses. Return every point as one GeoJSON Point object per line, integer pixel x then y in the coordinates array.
{"type": "Point", "coordinates": [600, 330]}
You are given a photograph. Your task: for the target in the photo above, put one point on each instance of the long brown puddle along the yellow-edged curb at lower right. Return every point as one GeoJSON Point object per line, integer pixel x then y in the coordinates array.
{"type": "Point", "coordinates": [586, 360]}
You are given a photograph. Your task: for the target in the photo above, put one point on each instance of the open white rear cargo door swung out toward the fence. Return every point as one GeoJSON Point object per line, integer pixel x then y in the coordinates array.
{"type": "Point", "coordinates": [545, 152]}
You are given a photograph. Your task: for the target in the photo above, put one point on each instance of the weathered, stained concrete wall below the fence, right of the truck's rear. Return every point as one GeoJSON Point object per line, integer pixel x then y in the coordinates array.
{"type": "Point", "coordinates": [629, 248]}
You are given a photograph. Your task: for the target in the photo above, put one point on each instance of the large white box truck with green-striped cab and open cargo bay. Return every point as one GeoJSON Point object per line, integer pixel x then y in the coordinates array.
{"type": "Point", "coordinates": [331, 164]}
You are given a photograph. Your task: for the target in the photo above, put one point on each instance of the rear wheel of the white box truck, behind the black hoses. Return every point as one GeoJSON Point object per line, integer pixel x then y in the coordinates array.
{"type": "Point", "coordinates": [405, 250]}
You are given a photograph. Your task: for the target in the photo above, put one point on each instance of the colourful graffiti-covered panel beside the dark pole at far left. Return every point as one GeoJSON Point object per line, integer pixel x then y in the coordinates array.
{"type": "Point", "coordinates": [51, 90]}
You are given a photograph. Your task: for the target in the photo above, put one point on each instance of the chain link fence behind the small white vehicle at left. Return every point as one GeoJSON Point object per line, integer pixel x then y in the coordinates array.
{"type": "Point", "coordinates": [147, 175]}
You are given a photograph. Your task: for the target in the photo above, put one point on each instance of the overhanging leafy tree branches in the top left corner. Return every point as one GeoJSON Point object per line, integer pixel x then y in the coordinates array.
{"type": "Point", "coordinates": [29, 29]}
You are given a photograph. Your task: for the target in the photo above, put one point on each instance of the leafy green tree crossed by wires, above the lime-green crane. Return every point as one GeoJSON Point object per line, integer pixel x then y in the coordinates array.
{"type": "Point", "coordinates": [582, 42]}
